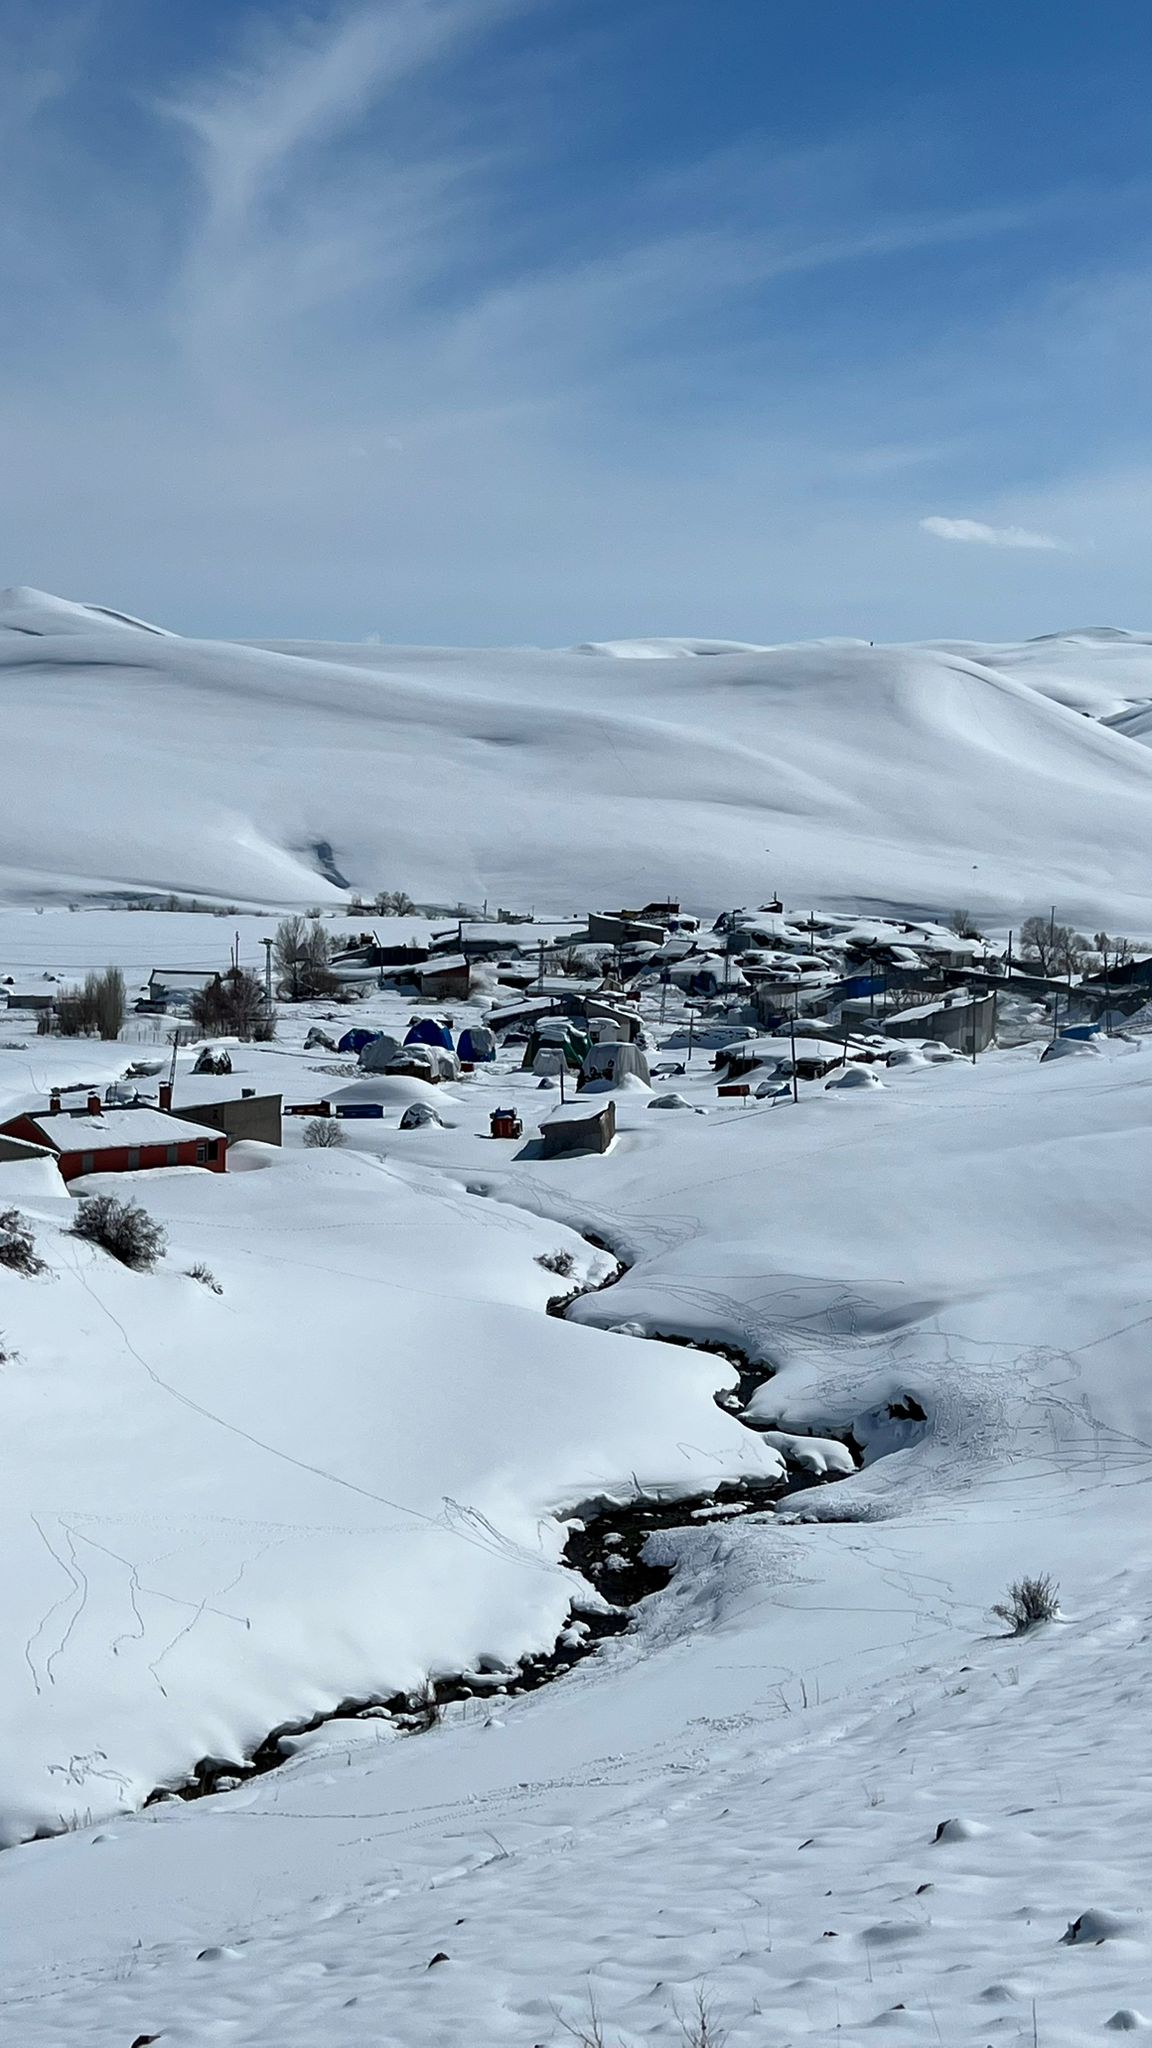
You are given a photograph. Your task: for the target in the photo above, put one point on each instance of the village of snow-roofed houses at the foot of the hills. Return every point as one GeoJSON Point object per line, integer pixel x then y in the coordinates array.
{"type": "Point", "coordinates": [774, 996]}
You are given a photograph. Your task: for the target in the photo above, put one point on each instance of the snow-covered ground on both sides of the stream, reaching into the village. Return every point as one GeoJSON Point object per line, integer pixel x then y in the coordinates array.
{"type": "Point", "coordinates": [737, 1799]}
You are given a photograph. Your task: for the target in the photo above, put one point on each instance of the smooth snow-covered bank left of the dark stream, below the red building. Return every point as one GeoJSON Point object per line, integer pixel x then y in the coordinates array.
{"type": "Point", "coordinates": [333, 1478]}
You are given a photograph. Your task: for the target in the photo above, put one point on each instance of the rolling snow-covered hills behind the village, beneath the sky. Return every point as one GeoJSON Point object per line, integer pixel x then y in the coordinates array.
{"type": "Point", "coordinates": [905, 775]}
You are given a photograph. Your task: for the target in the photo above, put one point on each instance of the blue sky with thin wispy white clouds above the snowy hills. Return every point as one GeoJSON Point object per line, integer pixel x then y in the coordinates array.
{"type": "Point", "coordinates": [544, 321]}
